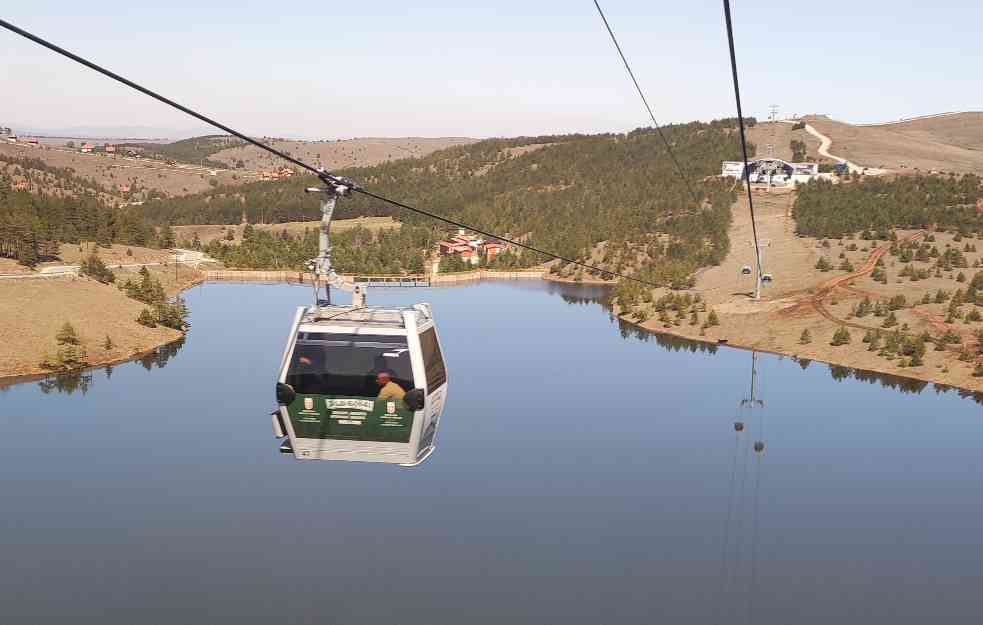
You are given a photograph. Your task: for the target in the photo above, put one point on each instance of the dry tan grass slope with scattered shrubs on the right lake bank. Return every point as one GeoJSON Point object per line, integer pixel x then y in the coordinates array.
{"type": "Point", "coordinates": [776, 322]}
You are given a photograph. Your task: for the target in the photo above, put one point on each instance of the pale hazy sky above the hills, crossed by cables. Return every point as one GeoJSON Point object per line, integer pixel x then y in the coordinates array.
{"type": "Point", "coordinates": [343, 69]}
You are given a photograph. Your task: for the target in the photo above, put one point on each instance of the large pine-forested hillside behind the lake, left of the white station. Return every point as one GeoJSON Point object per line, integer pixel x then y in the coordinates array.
{"type": "Point", "coordinates": [564, 193]}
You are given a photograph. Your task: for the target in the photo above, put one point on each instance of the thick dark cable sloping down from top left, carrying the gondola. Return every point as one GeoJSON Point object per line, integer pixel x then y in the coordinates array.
{"type": "Point", "coordinates": [329, 179]}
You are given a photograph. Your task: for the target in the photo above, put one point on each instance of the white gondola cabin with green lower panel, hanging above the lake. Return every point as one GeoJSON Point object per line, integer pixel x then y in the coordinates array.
{"type": "Point", "coordinates": [334, 392]}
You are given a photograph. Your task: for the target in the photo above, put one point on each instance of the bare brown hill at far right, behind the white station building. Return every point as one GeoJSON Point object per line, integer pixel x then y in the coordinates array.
{"type": "Point", "coordinates": [950, 143]}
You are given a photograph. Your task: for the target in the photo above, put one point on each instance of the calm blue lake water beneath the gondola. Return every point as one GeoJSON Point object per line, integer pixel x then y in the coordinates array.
{"type": "Point", "coordinates": [583, 474]}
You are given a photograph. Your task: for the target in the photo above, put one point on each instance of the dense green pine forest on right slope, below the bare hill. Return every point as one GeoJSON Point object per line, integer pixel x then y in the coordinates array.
{"type": "Point", "coordinates": [823, 209]}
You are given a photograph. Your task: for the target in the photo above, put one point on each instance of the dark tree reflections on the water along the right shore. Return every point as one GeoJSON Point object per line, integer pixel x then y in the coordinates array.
{"type": "Point", "coordinates": [581, 295]}
